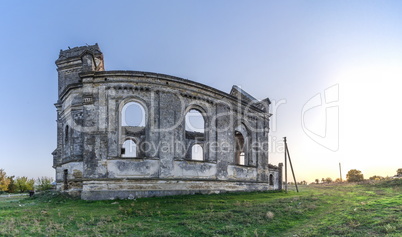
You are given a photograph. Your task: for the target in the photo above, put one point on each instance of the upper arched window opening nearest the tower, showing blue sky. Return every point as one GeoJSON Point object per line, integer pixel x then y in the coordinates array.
{"type": "Point", "coordinates": [133, 115]}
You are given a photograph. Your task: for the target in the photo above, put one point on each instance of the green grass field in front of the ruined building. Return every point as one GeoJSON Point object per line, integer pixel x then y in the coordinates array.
{"type": "Point", "coordinates": [318, 210]}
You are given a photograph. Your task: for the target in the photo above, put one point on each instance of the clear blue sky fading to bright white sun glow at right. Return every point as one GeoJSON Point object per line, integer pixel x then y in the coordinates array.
{"type": "Point", "coordinates": [287, 51]}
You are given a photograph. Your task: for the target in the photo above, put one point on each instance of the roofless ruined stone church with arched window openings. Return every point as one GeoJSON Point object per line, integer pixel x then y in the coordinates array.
{"type": "Point", "coordinates": [127, 134]}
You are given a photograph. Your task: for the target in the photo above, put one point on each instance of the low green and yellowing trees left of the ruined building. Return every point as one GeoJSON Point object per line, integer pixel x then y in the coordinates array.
{"type": "Point", "coordinates": [12, 184]}
